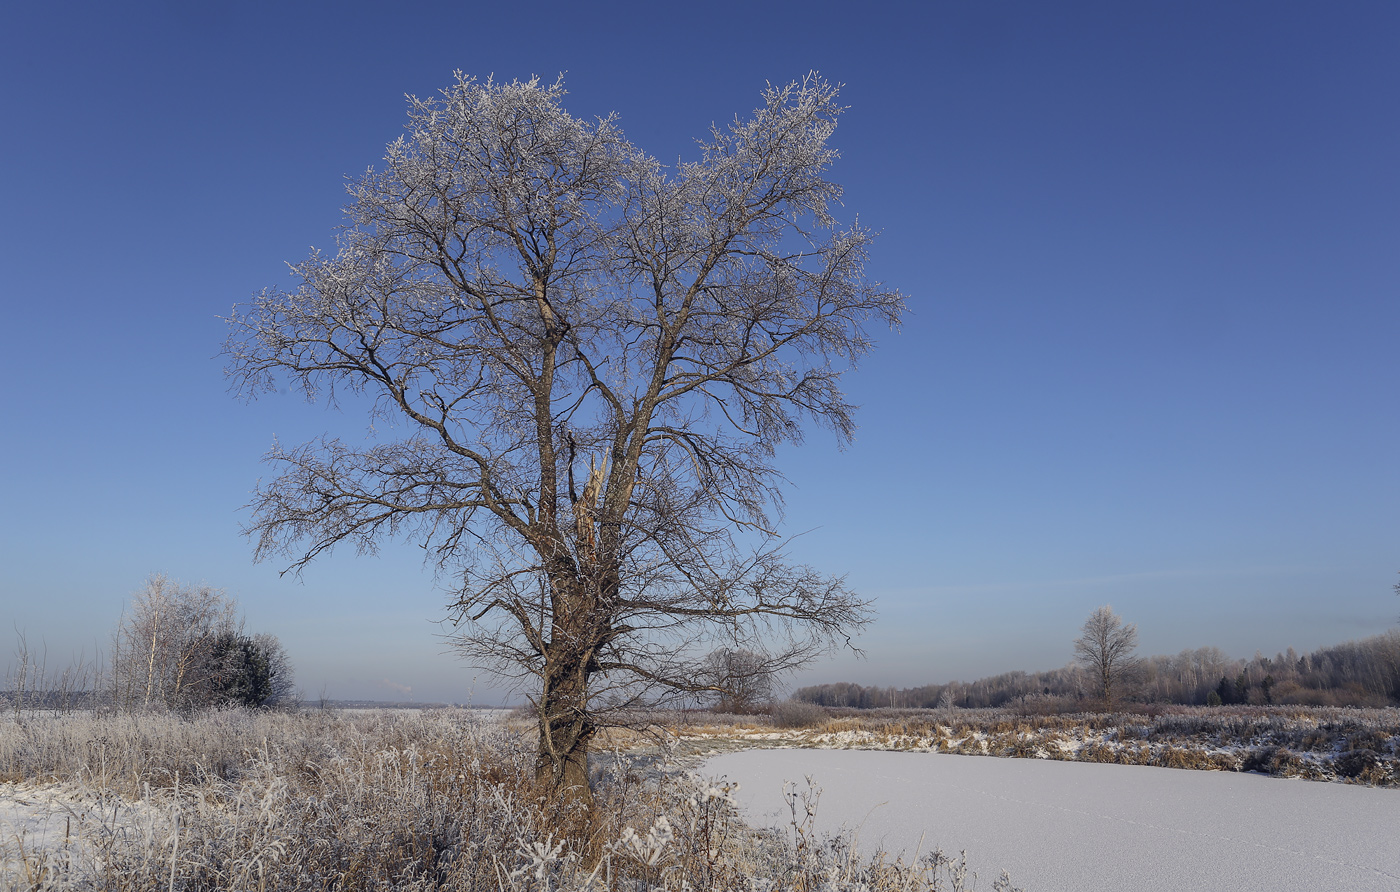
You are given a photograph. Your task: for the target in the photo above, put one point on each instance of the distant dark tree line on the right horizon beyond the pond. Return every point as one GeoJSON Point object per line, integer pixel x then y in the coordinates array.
{"type": "Point", "coordinates": [1363, 673]}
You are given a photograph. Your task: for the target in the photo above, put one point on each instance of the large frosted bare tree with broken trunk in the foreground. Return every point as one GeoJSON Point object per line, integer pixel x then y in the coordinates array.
{"type": "Point", "coordinates": [594, 358]}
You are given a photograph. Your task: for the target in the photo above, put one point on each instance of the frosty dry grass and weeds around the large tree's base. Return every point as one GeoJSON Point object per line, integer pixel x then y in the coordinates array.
{"type": "Point", "coordinates": [401, 800]}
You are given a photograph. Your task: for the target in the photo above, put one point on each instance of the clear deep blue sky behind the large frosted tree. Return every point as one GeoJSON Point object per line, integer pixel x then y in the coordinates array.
{"type": "Point", "coordinates": [1153, 253]}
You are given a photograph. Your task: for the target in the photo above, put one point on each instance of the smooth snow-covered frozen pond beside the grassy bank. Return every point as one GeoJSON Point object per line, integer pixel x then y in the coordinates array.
{"type": "Point", "coordinates": [1063, 827]}
